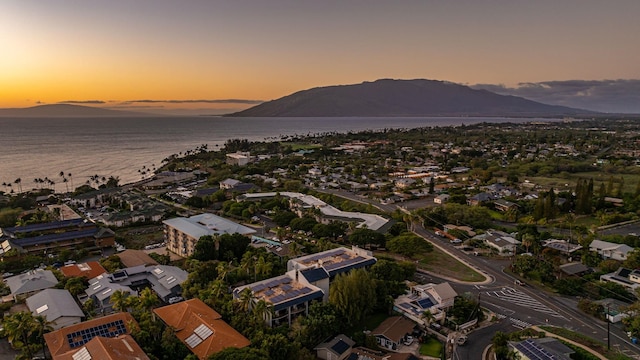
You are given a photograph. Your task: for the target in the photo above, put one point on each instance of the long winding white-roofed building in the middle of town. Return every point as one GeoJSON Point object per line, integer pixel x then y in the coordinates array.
{"type": "Point", "coordinates": [302, 204]}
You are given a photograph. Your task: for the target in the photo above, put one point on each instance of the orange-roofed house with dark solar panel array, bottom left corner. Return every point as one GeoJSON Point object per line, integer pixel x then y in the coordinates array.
{"type": "Point", "coordinates": [106, 337]}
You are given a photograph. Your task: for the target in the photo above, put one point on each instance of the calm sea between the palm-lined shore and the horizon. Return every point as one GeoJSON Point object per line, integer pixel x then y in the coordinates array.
{"type": "Point", "coordinates": [37, 148]}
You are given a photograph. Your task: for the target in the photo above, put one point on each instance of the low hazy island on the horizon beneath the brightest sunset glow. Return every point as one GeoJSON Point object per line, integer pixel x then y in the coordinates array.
{"type": "Point", "coordinates": [67, 110]}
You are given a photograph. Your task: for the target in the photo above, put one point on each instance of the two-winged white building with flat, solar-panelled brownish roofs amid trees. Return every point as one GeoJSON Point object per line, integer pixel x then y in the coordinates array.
{"type": "Point", "coordinates": [307, 279]}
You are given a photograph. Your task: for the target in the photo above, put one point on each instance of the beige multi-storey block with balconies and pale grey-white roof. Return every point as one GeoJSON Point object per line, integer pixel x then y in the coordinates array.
{"type": "Point", "coordinates": [182, 234]}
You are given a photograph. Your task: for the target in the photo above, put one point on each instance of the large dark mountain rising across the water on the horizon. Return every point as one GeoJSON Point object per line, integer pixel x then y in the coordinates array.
{"type": "Point", "coordinates": [396, 98]}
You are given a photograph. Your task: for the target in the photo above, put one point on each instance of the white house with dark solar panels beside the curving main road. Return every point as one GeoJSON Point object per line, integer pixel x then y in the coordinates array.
{"type": "Point", "coordinates": [436, 299]}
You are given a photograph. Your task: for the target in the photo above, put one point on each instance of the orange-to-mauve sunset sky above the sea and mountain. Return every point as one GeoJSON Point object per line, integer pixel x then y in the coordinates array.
{"type": "Point", "coordinates": [229, 54]}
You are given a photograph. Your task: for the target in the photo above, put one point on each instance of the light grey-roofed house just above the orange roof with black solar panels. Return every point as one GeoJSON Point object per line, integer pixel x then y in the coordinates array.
{"type": "Point", "coordinates": [57, 306]}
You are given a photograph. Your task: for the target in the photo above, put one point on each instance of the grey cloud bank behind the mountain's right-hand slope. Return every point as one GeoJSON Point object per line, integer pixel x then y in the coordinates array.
{"type": "Point", "coordinates": [612, 96]}
